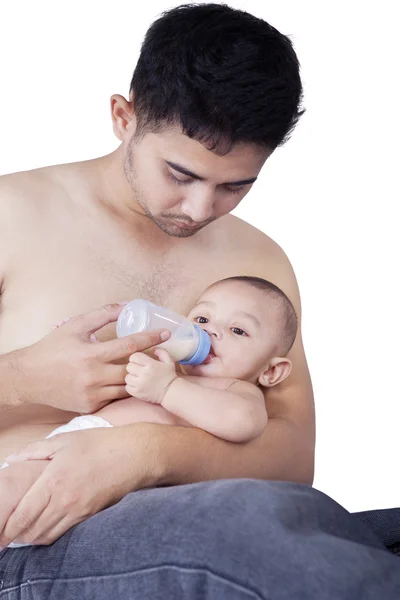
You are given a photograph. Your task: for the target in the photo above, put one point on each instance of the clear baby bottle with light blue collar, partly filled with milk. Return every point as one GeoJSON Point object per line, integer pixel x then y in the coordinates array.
{"type": "Point", "coordinates": [188, 344]}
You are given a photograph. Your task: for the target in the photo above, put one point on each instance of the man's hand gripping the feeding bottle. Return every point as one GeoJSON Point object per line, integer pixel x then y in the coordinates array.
{"type": "Point", "coordinates": [69, 369]}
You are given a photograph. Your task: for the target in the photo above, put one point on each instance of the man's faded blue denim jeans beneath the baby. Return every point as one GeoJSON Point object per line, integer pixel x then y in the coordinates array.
{"type": "Point", "coordinates": [220, 540]}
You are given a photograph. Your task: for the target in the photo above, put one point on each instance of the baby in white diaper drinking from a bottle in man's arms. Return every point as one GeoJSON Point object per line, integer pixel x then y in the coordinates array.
{"type": "Point", "coordinates": [252, 325]}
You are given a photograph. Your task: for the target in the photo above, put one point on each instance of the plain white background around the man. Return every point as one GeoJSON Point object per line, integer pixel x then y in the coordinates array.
{"type": "Point", "coordinates": [328, 197]}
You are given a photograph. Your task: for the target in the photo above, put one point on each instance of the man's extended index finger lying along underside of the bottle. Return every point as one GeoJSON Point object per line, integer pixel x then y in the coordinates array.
{"type": "Point", "coordinates": [137, 342]}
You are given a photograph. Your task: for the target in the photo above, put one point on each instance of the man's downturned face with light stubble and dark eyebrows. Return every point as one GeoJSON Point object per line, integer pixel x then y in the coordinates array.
{"type": "Point", "coordinates": [181, 204]}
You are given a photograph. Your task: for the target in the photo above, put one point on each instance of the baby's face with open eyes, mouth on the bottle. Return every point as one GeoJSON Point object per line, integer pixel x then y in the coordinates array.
{"type": "Point", "coordinates": [243, 325]}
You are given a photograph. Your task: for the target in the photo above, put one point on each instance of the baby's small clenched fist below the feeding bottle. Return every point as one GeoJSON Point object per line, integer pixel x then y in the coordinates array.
{"type": "Point", "coordinates": [148, 379]}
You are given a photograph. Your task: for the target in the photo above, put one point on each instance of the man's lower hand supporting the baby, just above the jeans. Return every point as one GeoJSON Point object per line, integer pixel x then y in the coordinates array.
{"type": "Point", "coordinates": [89, 470]}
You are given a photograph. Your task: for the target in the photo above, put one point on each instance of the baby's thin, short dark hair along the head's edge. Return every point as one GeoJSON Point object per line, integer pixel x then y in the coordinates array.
{"type": "Point", "coordinates": [289, 317]}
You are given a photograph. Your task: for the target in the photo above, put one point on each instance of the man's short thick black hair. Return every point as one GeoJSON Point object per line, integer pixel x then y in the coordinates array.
{"type": "Point", "coordinates": [221, 74]}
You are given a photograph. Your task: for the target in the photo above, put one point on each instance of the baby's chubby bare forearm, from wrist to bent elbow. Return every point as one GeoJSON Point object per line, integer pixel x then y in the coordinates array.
{"type": "Point", "coordinates": [236, 414]}
